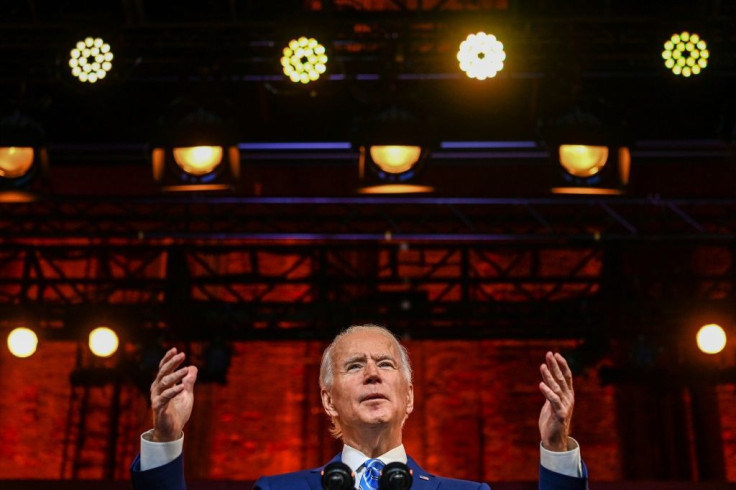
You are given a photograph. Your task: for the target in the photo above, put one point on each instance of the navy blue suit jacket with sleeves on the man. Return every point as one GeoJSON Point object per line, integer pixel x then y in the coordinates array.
{"type": "Point", "coordinates": [171, 477]}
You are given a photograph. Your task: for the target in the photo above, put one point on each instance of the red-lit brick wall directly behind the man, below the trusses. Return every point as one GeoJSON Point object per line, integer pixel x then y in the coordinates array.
{"type": "Point", "coordinates": [476, 414]}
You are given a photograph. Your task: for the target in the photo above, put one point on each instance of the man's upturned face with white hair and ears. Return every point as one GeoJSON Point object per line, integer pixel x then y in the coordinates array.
{"type": "Point", "coordinates": [368, 387]}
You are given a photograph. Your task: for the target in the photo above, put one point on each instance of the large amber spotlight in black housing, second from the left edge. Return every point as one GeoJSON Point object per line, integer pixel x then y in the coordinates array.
{"type": "Point", "coordinates": [196, 152]}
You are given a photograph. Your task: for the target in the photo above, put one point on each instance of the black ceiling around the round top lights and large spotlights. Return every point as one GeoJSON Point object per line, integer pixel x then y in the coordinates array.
{"type": "Point", "coordinates": [593, 54]}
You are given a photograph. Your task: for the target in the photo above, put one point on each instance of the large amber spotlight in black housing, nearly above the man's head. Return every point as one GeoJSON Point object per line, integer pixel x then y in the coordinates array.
{"type": "Point", "coordinates": [393, 147]}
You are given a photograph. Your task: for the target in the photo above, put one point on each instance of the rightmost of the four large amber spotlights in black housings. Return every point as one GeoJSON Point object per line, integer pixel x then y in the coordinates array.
{"type": "Point", "coordinates": [590, 155]}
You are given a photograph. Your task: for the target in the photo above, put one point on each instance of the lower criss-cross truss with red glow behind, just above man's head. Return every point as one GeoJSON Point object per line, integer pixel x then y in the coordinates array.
{"type": "Point", "coordinates": [243, 289]}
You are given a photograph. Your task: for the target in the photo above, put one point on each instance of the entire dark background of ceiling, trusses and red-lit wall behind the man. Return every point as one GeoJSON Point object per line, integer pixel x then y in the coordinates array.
{"type": "Point", "coordinates": [480, 277]}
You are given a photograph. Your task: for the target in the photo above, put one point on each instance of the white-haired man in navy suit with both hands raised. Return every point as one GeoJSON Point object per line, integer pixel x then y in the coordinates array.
{"type": "Point", "coordinates": [366, 390]}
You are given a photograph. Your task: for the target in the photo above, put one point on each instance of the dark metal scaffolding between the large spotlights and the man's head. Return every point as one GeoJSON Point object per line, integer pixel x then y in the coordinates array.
{"type": "Point", "coordinates": [302, 268]}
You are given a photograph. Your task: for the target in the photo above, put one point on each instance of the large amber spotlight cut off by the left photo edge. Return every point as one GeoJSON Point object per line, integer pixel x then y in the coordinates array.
{"type": "Point", "coordinates": [23, 155]}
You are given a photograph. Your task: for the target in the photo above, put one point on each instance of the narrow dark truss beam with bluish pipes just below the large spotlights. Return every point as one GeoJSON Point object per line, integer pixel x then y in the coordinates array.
{"type": "Point", "coordinates": [372, 219]}
